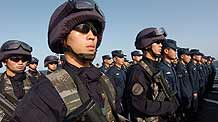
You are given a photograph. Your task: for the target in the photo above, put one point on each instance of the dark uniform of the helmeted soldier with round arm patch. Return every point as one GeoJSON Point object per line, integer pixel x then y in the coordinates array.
{"type": "Point", "coordinates": [140, 92]}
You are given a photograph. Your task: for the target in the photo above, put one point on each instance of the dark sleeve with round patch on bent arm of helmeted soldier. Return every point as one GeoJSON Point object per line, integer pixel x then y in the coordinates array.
{"type": "Point", "coordinates": [140, 98]}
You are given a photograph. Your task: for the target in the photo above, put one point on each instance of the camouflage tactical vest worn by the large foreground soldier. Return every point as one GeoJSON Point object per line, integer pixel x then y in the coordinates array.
{"type": "Point", "coordinates": [68, 91]}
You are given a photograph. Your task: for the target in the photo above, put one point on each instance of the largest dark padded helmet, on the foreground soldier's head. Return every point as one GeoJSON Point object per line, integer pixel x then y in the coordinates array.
{"type": "Point", "coordinates": [70, 14]}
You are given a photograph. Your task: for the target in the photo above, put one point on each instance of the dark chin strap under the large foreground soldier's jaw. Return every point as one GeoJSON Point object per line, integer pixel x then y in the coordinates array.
{"type": "Point", "coordinates": [82, 56]}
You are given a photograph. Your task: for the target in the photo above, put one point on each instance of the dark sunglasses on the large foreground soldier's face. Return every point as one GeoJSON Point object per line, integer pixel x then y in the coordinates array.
{"type": "Point", "coordinates": [85, 28]}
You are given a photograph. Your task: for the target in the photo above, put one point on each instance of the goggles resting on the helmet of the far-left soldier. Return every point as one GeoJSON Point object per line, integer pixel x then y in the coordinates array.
{"type": "Point", "coordinates": [15, 44]}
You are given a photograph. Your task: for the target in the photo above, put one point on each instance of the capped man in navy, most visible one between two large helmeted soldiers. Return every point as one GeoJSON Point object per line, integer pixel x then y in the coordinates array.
{"type": "Point", "coordinates": [118, 75]}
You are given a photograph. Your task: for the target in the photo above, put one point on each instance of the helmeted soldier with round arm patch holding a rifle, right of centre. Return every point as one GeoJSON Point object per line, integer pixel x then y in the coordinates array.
{"type": "Point", "coordinates": [142, 89]}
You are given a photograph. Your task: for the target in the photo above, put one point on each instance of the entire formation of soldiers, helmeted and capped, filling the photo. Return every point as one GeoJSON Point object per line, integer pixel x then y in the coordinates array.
{"type": "Point", "coordinates": [149, 90]}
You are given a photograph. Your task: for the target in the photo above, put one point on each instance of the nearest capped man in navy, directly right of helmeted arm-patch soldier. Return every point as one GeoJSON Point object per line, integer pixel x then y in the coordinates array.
{"type": "Point", "coordinates": [166, 65]}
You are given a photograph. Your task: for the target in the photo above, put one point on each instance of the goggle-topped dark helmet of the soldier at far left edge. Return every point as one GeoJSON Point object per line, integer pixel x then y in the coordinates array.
{"type": "Point", "coordinates": [15, 47]}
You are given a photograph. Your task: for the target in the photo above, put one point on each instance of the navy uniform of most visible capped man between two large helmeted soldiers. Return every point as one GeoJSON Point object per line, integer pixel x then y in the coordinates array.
{"type": "Point", "coordinates": [118, 75]}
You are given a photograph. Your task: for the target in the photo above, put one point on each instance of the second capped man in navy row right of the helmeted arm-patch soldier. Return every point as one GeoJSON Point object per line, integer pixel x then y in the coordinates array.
{"type": "Point", "coordinates": [183, 79]}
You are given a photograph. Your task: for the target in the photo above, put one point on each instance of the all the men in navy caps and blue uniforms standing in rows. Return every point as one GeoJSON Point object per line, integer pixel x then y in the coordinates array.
{"type": "Point", "coordinates": [188, 76]}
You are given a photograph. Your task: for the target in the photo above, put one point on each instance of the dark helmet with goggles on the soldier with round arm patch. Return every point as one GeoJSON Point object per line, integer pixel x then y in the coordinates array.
{"type": "Point", "coordinates": [148, 36]}
